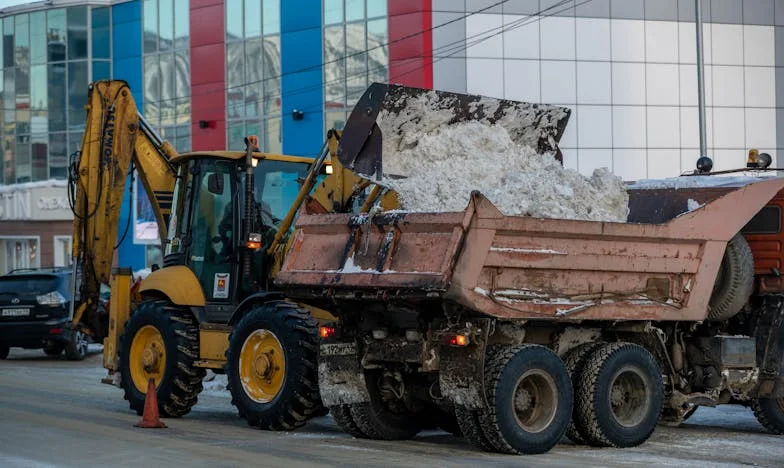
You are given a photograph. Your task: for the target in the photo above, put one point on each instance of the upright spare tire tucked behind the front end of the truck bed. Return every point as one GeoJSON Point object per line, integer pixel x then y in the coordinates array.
{"type": "Point", "coordinates": [734, 282]}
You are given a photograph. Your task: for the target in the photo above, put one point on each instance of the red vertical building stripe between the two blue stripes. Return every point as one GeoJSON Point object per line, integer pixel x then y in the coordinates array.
{"type": "Point", "coordinates": [208, 78]}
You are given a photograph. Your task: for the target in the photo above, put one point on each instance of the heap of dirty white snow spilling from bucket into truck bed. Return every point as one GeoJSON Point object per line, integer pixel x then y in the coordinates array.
{"type": "Point", "coordinates": [450, 161]}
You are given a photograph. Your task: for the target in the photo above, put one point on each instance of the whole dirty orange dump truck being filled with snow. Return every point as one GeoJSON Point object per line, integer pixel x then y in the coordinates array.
{"type": "Point", "coordinates": [514, 330]}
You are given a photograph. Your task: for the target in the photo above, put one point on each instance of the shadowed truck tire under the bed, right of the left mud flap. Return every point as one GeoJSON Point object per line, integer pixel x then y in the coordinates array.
{"type": "Point", "coordinates": [379, 420]}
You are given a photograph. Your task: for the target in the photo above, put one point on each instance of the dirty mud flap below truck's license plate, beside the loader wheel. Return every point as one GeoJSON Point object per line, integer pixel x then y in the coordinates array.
{"type": "Point", "coordinates": [341, 379]}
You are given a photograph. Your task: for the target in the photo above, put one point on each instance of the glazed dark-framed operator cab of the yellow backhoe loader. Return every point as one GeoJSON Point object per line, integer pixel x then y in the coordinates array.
{"type": "Point", "coordinates": [208, 222]}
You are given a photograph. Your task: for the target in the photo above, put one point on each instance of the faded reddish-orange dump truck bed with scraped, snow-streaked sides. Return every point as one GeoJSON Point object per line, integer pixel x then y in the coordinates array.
{"type": "Point", "coordinates": [520, 267]}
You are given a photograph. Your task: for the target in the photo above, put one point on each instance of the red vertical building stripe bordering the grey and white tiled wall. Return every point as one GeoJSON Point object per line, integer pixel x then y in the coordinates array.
{"type": "Point", "coordinates": [410, 42]}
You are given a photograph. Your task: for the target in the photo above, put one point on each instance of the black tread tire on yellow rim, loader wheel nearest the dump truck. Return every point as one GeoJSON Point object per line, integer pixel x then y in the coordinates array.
{"type": "Point", "coordinates": [298, 399]}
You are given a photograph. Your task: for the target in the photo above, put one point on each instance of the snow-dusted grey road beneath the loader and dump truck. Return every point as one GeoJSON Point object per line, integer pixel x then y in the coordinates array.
{"type": "Point", "coordinates": [56, 413]}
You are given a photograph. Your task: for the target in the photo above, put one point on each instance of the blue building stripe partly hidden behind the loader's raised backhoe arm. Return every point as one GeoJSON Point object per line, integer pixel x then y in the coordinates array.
{"type": "Point", "coordinates": [127, 65]}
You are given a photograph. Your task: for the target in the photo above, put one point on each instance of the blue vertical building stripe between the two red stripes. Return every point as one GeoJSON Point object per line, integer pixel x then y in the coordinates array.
{"type": "Point", "coordinates": [300, 48]}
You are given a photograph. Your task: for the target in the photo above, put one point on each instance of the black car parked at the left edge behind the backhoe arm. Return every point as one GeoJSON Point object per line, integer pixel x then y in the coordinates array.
{"type": "Point", "coordinates": [34, 313]}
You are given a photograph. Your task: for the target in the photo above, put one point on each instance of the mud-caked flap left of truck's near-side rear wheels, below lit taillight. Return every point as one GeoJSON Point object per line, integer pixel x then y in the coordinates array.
{"type": "Point", "coordinates": [461, 374]}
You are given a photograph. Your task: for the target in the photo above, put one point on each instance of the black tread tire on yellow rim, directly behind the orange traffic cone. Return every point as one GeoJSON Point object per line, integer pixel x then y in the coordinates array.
{"type": "Point", "coordinates": [181, 383]}
